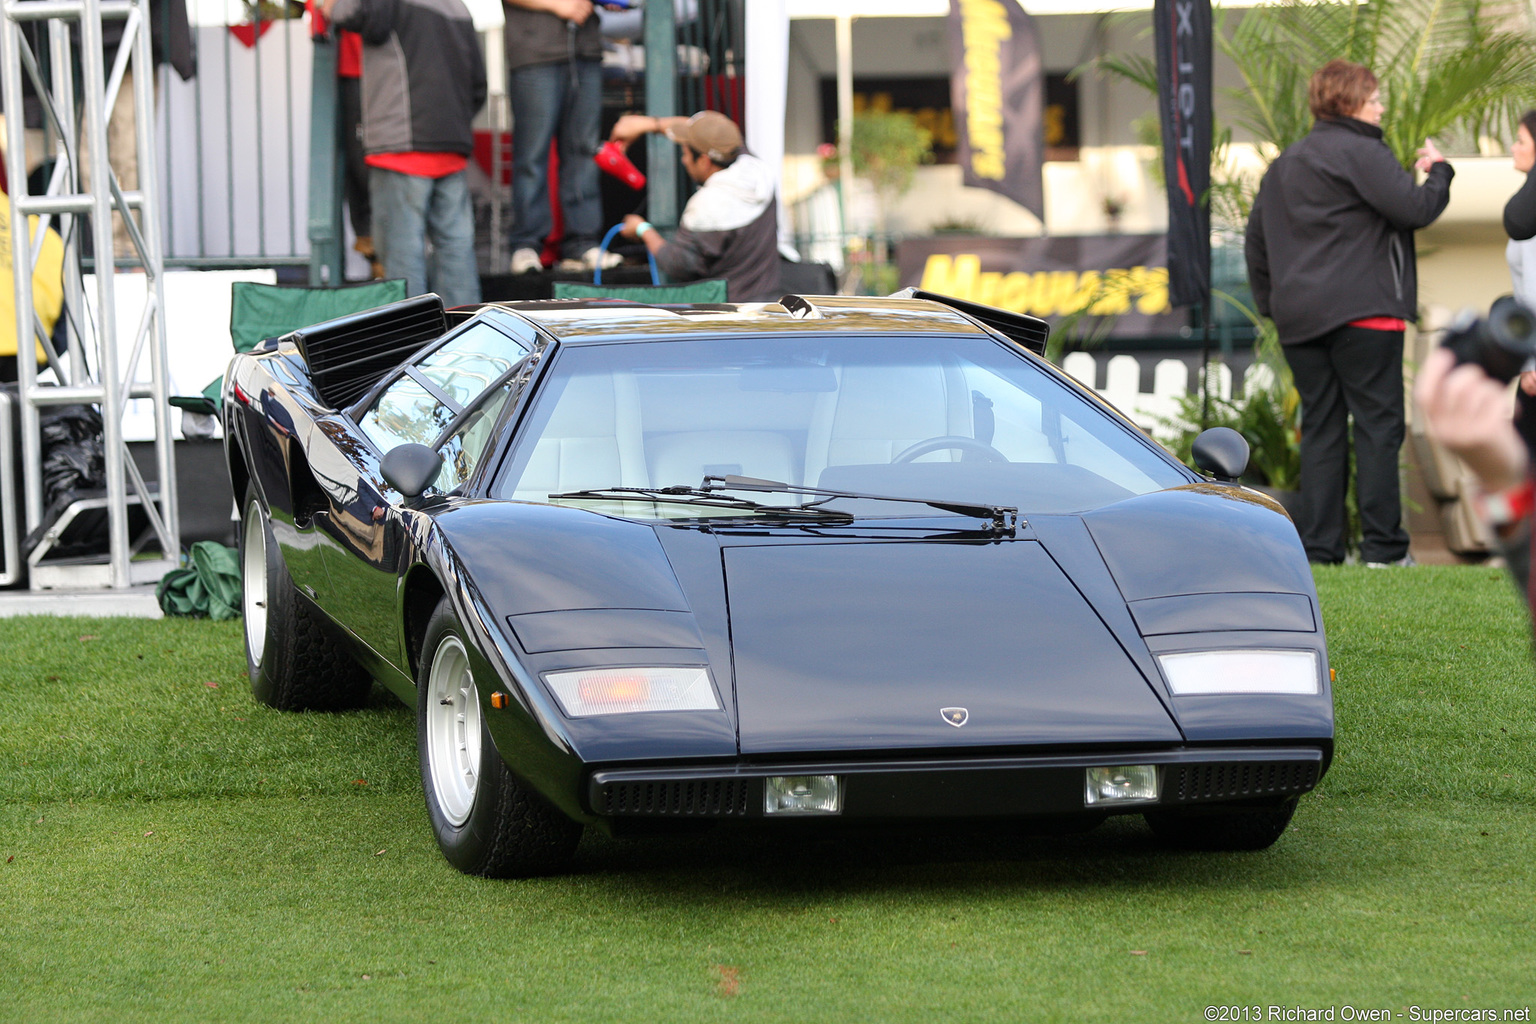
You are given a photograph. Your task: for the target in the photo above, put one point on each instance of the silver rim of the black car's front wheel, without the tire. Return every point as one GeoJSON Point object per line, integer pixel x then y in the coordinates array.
{"type": "Point", "coordinates": [454, 732]}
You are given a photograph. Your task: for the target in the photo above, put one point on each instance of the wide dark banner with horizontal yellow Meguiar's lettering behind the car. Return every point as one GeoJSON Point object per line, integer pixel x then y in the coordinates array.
{"type": "Point", "coordinates": [1119, 283]}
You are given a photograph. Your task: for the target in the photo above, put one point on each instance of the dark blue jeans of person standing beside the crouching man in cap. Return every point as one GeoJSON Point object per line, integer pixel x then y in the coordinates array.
{"type": "Point", "coordinates": [549, 101]}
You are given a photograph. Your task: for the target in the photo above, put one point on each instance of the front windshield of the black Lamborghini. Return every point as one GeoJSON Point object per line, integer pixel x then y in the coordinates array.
{"type": "Point", "coordinates": [953, 418]}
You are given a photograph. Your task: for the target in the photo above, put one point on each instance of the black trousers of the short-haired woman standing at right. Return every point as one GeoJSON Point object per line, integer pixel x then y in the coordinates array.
{"type": "Point", "coordinates": [1351, 372]}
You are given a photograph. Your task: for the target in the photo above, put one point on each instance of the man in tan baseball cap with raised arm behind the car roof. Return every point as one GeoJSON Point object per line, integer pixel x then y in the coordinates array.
{"type": "Point", "coordinates": [730, 226]}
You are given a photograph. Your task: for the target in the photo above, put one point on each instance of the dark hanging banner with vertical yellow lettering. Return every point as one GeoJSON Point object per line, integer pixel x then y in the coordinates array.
{"type": "Point", "coordinates": [998, 93]}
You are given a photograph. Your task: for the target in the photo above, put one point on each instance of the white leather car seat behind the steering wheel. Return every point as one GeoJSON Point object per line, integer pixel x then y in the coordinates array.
{"type": "Point", "coordinates": [878, 412]}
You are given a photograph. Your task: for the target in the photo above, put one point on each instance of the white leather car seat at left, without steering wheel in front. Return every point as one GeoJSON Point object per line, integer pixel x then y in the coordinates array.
{"type": "Point", "coordinates": [594, 438]}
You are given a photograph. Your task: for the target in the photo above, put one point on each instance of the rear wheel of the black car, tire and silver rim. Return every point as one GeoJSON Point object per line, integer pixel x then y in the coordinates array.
{"type": "Point", "coordinates": [294, 661]}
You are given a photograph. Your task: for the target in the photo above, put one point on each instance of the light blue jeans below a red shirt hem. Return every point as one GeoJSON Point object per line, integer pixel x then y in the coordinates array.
{"type": "Point", "coordinates": [425, 233]}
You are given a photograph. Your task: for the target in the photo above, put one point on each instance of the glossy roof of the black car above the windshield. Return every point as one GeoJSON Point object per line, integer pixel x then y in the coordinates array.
{"type": "Point", "coordinates": [618, 322]}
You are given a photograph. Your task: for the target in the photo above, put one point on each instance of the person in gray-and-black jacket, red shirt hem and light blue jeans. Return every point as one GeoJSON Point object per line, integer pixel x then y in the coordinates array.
{"type": "Point", "coordinates": [423, 82]}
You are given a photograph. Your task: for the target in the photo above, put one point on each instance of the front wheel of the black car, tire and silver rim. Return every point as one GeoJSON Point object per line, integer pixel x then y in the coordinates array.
{"type": "Point", "coordinates": [488, 822]}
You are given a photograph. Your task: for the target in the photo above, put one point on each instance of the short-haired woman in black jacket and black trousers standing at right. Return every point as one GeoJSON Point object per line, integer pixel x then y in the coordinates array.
{"type": "Point", "coordinates": [1331, 260]}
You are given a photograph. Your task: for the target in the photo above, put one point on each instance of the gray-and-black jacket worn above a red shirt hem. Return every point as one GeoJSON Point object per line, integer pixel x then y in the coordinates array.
{"type": "Point", "coordinates": [423, 74]}
